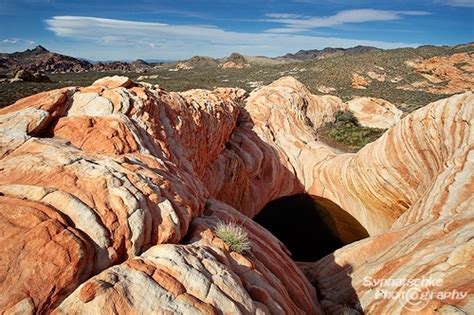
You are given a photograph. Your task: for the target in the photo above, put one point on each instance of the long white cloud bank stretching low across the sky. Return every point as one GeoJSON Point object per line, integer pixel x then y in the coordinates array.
{"type": "Point", "coordinates": [120, 39]}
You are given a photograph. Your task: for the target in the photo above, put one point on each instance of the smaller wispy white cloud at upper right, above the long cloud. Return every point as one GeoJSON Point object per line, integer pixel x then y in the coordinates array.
{"type": "Point", "coordinates": [340, 18]}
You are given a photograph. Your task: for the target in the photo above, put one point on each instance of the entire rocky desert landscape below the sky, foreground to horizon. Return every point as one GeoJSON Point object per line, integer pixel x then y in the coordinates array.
{"type": "Point", "coordinates": [323, 181]}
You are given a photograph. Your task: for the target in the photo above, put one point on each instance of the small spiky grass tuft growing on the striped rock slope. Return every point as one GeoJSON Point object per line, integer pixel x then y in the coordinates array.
{"type": "Point", "coordinates": [233, 235]}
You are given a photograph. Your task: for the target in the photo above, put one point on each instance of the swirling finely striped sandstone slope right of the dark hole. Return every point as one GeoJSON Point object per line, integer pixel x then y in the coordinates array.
{"type": "Point", "coordinates": [417, 196]}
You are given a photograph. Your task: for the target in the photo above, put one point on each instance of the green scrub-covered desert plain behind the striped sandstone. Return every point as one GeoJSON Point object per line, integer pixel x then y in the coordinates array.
{"type": "Point", "coordinates": [334, 72]}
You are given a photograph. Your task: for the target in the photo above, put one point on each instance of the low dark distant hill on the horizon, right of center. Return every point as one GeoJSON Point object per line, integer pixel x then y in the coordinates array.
{"type": "Point", "coordinates": [329, 52]}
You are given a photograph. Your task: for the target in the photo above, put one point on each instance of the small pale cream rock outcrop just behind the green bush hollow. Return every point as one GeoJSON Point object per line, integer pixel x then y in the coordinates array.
{"type": "Point", "coordinates": [374, 112]}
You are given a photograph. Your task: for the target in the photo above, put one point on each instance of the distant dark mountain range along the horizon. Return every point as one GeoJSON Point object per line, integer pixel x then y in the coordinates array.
{"type": "Point", "coordinates": [40, 60]}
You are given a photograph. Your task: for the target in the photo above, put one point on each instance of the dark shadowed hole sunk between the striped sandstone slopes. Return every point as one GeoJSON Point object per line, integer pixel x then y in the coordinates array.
{"type": "Point", "coordinates": [310, 227]}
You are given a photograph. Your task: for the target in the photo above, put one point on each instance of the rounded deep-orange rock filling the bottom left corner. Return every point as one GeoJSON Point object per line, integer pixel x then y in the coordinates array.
{"type": "Point", "coordinates": [43, 258]}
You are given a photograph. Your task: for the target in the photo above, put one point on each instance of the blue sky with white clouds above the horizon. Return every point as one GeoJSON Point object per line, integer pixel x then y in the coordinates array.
{"type": "Point", "coordinates": [174, 29]}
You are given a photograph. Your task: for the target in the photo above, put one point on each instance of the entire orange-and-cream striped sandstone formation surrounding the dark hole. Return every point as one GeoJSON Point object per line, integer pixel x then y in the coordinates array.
{"type": "Point", "coordinates": [109, 195]}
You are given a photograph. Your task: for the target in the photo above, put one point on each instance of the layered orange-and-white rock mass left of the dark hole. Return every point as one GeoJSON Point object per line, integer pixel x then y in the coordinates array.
{"type": "Point", "coordinates": [104, 180]}
